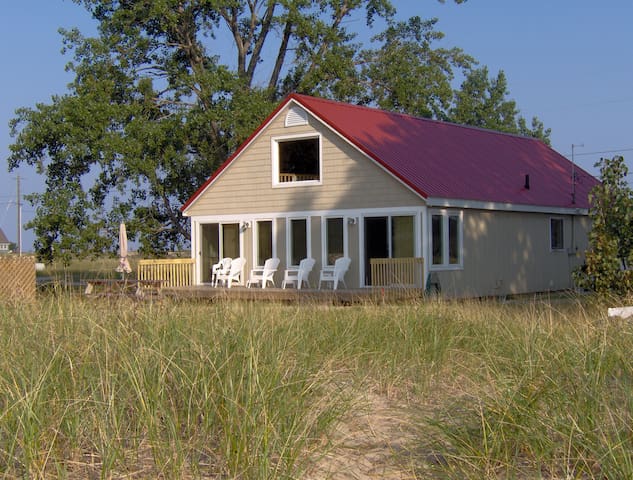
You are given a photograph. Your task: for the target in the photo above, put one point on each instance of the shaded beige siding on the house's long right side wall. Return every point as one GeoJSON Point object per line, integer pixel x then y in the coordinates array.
{"type": "Point", "coordinates": [507, 253]}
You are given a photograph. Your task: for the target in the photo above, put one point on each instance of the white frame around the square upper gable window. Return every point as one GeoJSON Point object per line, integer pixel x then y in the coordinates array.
{"type": "Point", "coordinates": [292, 179]}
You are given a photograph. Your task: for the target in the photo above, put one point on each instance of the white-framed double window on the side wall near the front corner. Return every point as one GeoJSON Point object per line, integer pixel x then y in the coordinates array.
{"type": "Point", "coordinates": [446, 239]}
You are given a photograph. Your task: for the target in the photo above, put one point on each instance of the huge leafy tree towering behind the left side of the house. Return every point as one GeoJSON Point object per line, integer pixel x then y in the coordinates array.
{"type": "Point", "coordinates": [169, 88]}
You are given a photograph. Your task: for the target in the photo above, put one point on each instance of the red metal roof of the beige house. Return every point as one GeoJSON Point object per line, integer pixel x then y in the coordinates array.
{"type": "Point", "coordinates": [448, 161]}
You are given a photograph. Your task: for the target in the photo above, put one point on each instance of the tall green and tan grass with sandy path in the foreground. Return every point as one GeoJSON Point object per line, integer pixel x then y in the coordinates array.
{"type": "Point", "coordinates": [97, 388]}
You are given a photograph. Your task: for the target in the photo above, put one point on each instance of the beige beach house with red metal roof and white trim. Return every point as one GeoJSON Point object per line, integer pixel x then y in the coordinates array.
{"type": "Point", "coordinates": [490, 213]}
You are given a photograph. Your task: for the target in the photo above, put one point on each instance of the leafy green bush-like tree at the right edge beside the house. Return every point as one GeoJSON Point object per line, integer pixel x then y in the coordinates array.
{"type": "Point", "coordinates": [611, 236]}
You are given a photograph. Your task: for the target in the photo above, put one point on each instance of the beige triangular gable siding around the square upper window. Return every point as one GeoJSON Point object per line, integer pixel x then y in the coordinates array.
{"type": "Point", "coordinates": [246, 186]}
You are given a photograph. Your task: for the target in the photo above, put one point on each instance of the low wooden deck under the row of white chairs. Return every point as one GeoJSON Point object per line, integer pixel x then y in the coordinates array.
{"type": "Point", "coordinates": [291, 295]}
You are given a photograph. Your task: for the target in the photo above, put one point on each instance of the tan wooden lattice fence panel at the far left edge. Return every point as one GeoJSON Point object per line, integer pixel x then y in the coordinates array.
{"type": "Point", "coordinates": [17, 278]}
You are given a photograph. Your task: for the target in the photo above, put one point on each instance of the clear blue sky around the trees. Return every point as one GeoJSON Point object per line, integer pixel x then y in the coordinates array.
{"type": "Point", "coordinates": [569, 62]}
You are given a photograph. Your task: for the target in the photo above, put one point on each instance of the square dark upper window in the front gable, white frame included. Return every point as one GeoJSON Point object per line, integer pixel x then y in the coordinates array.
{"type": "Point", "coordinates": [296, 160]}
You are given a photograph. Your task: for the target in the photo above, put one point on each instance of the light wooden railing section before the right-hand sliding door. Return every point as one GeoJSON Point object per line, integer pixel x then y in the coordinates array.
{"type": "Point", "coordinates": [397, 272]}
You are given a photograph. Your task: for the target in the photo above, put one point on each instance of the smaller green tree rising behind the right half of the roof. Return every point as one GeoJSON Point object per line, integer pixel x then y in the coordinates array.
{"type": "Point", "coordinates": [482, 102]}
